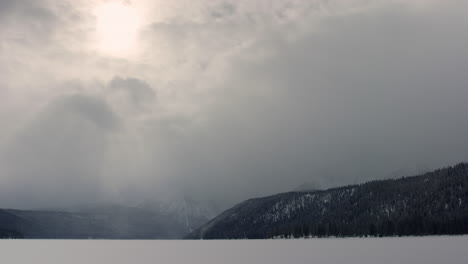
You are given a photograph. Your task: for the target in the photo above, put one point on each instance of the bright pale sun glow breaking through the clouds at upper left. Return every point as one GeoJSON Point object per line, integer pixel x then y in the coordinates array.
{"type": "Point", "coordinates": [117, 27]}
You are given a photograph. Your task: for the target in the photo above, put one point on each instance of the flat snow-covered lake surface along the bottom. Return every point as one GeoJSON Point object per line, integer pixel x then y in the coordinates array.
{"type": "Point", "coordinates": [414, 250]}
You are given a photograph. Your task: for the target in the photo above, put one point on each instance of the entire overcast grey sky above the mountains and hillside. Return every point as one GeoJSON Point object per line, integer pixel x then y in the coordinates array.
{"type": "Point", "coordinates": [127, 101]}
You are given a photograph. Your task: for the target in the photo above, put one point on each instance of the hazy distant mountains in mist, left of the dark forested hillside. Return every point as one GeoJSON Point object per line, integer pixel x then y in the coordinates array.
{"type": "Point", "coordinates": [161, 221]}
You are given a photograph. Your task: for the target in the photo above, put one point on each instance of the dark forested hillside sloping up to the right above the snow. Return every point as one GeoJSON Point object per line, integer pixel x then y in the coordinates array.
{"type": "Point", "coordinates": [429, 204]}
